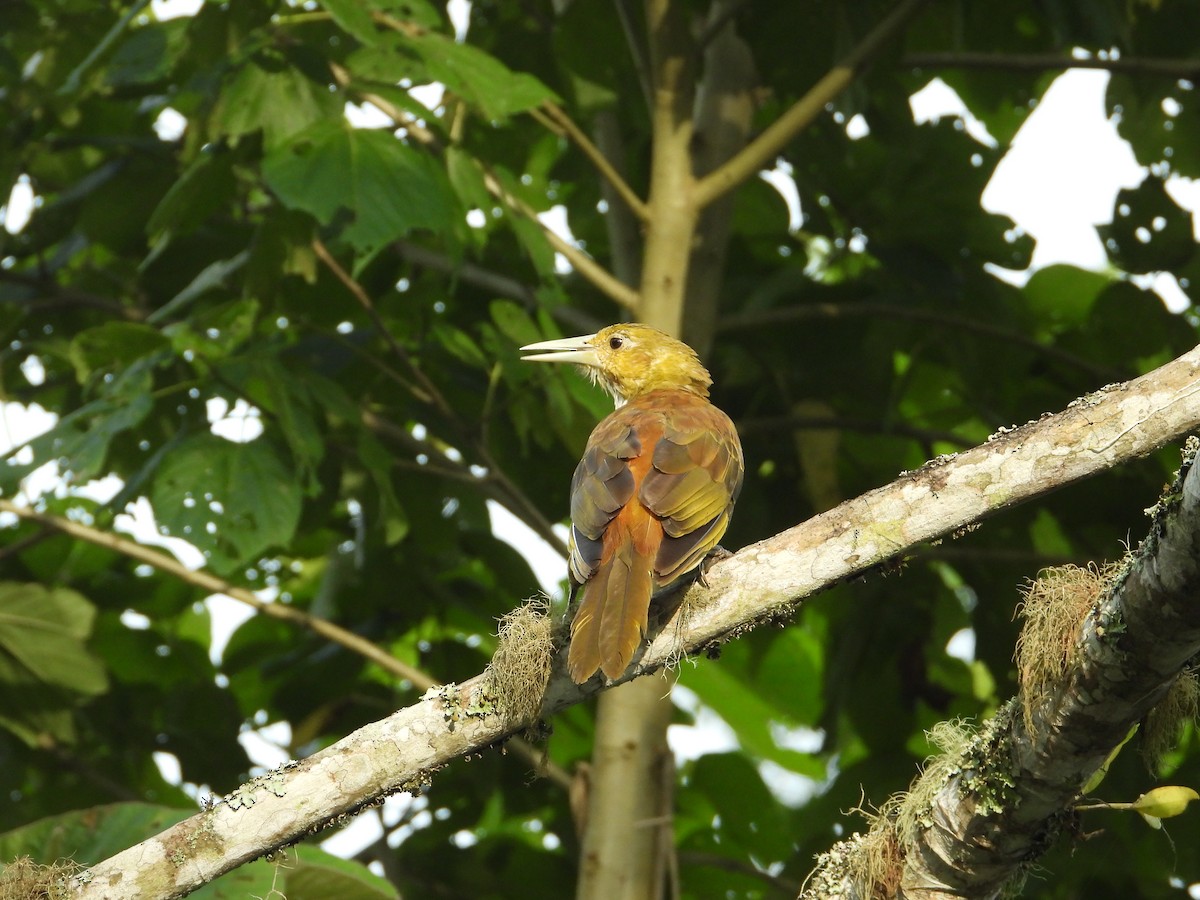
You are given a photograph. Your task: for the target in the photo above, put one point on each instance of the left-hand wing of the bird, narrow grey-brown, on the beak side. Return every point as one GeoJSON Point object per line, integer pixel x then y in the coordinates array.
{"type": "Point", "coordinates": [602, 485]}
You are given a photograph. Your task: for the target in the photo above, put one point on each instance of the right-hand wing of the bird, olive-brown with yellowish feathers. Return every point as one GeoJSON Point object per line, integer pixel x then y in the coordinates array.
{"type": "Point", "coordinates": [695, 479]}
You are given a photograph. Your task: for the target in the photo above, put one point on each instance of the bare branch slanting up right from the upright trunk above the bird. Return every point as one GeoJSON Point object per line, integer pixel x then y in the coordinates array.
{"type": "Point", "coordinates": [764, 149]}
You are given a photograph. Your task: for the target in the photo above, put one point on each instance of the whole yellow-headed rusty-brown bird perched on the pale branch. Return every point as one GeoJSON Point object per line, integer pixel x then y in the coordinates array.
{"type": "Point", "coordinates": [655, 491]}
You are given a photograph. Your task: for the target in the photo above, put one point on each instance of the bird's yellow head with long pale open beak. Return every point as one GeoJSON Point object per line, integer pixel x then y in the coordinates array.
{"type": "Point", "coordinates": [628, 361]}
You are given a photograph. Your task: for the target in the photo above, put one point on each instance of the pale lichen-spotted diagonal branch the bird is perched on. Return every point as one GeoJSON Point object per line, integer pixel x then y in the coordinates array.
{"type": "Point", "coordinates": [764, 583]}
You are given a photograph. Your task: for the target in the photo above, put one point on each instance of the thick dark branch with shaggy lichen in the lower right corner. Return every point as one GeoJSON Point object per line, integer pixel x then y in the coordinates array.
{"type": "Point", "coordinates": [994, 802]}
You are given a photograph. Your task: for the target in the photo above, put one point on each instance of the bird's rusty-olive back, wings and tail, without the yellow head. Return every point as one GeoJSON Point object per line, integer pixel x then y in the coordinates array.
{"type": "Point", "coordinates": [650, 500]}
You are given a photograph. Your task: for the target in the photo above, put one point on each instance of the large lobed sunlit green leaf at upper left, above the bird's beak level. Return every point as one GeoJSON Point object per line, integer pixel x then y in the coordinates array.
{"type": "Point", "coordinates": [380, 187]}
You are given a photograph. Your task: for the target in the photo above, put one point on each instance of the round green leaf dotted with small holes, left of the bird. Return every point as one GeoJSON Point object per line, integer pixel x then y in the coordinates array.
{"type": "Point", "coordinates": [232, 501]}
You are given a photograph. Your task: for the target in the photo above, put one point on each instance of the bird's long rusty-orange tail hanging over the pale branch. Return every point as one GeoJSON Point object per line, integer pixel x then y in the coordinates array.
{"type": "Point", "coordinates": [615, 603]}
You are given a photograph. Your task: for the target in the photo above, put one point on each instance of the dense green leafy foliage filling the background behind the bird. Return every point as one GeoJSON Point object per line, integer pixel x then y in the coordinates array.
{"type": "Point", "coordinates": [212, 233]}
